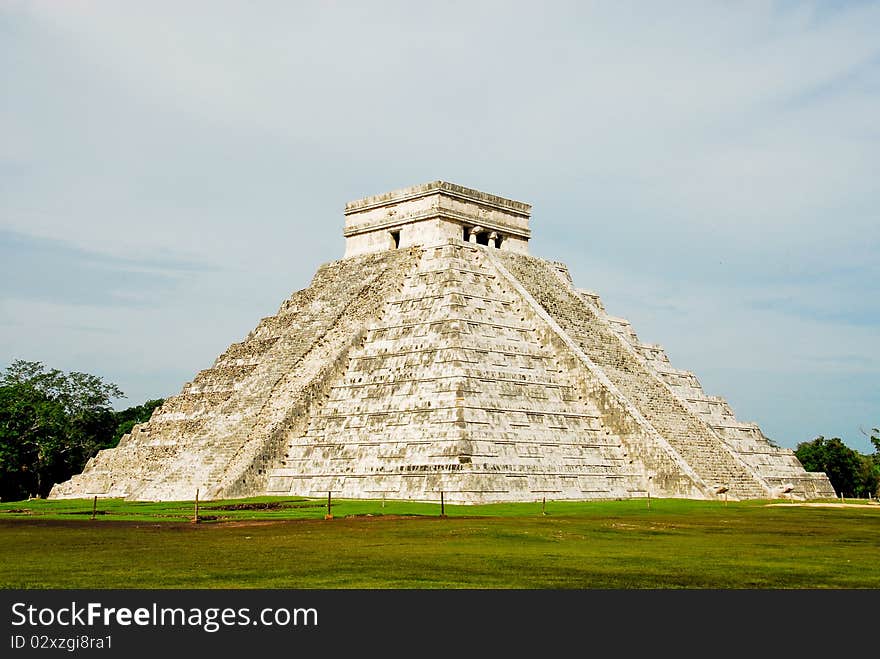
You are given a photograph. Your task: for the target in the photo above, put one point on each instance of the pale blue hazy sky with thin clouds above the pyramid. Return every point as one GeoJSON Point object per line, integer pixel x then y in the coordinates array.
{"type": "Point", "coordinates": [171, 171]}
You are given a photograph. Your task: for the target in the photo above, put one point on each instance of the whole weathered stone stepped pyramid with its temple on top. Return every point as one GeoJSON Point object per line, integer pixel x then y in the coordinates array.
{"type": "Point", "coordinates": [439, 356]}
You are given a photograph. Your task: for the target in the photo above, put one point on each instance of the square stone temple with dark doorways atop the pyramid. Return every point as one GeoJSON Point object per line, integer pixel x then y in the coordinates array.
{"type": "Point", "coordinates": [433, 213]}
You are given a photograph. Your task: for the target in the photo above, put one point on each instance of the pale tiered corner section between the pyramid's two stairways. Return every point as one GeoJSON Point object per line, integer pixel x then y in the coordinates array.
{"type": "Point", "coordinates": [454, 391]}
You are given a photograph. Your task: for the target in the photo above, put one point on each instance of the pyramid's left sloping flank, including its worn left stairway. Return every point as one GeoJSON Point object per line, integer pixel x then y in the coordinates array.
{"type": "Point", "coordinates": [209, 437]}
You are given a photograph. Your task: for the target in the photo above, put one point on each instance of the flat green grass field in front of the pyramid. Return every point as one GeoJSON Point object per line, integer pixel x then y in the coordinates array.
{"type": "Point", "coordinates": [287, 543]}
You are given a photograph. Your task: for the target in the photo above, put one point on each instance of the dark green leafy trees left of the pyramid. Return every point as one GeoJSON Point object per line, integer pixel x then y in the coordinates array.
{"type": "Point", "coordinates": [52, 422]}
